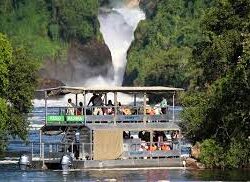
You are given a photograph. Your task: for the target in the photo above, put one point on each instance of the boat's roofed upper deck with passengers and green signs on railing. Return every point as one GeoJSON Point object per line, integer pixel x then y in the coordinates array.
{"type": "Point", "coordinates": [139, 113]}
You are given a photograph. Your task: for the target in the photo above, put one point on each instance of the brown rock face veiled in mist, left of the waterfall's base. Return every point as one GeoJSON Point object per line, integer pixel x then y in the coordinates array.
{"type": "Point", "coordinates": [83, 62]}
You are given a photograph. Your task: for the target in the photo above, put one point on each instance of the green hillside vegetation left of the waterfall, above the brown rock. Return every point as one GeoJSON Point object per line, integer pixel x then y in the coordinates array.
{"type": "Point", "coordinates": [46, 27]}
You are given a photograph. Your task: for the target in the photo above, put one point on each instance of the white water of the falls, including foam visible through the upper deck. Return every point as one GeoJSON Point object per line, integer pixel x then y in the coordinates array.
{"type": "Point", "coordinates": [117, 26]}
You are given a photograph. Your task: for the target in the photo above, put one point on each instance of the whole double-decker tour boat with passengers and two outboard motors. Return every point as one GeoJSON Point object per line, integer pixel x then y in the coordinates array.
{"type": "Point", "coordinates": [119, 136]}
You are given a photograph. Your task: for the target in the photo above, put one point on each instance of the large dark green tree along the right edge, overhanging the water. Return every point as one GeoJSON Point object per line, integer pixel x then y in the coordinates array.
{"type": "Point", "coordinates": [218, 101]}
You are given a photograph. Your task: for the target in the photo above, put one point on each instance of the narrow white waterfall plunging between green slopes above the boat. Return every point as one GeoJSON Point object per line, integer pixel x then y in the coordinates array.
{"type": "Point", "coordinates": [117, 27]}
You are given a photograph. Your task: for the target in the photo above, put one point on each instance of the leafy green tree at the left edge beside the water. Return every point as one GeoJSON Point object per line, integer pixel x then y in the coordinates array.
{"type": "Point", "coordinates": [18, 81]}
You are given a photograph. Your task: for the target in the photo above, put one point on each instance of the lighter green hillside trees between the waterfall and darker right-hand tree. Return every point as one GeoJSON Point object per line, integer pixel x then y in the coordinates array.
{"type": "Point", "coordinates": [163, 43]}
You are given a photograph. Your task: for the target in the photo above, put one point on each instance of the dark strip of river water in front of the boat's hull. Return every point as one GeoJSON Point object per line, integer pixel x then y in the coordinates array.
{"type": "Point", "coordinates": [12, 173]}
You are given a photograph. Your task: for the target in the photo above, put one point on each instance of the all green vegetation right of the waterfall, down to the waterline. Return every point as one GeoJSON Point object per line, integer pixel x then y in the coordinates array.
{"type": "Point", "coordinates": [204, 47]}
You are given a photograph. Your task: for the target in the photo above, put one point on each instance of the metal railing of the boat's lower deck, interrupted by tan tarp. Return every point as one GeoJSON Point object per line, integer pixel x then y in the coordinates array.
{"type": "Point", "coordinates": [84, 151]}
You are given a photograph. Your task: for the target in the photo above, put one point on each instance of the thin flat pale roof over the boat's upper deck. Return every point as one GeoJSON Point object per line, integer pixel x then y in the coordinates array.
{"type": "Point", "coordinates": [62, 90]}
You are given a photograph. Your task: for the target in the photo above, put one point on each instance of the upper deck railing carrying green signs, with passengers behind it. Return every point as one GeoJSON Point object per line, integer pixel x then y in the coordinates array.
{"type": "Point", "coordinates": [109, 114]}
